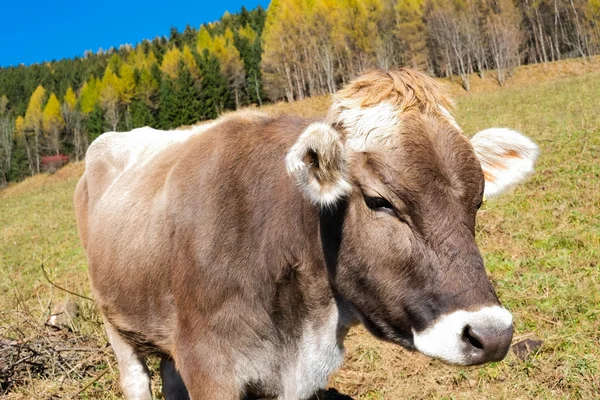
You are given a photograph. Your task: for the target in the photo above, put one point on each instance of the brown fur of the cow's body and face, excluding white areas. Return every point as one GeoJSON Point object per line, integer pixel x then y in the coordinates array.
{"type": "Point", "coordinates": [211, 255]}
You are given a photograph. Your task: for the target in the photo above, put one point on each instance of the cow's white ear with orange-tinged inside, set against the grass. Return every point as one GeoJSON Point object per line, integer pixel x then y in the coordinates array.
{"type": "Point", "coordinates": [507, 158]}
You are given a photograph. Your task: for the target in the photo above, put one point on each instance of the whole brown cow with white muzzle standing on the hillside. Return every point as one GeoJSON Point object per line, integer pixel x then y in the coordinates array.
{"type": "Point", "coordinates": [242, 251]}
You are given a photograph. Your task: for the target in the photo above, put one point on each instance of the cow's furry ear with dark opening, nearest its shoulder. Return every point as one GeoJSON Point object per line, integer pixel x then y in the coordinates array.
{"type": "Point", "coordinates": [317, 162]}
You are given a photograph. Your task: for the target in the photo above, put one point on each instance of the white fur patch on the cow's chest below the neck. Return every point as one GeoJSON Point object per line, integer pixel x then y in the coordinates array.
{"type": "Point", "coordinates": [320, 354]}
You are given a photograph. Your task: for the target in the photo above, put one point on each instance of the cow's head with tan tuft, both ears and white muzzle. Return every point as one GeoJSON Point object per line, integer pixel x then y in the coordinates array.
{"type": "Point", "coordinates": [399, 186]}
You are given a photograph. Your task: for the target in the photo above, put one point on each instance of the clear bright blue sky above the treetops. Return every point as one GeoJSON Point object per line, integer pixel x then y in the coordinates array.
{"type": "Point", "coordinates": [43, 30]}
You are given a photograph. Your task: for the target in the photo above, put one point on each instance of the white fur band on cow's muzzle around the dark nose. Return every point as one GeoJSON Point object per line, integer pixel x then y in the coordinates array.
{"type": "Point", "coordinates": [444, 339]}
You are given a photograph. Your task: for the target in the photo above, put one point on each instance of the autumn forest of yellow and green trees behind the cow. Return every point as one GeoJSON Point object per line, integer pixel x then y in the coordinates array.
{"type": "Point", "coordinates": [51, 111]}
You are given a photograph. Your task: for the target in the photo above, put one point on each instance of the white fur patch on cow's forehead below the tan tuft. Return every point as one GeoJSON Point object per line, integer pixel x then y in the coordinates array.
{"type": "Point", "coordinates": [369, 127]}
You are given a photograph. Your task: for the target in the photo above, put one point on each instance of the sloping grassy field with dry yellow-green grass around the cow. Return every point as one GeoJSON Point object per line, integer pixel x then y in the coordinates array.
{"type": "Point", "coordinates": [541, 244]}
